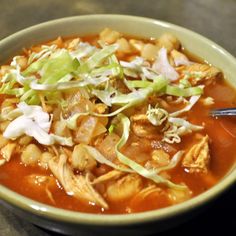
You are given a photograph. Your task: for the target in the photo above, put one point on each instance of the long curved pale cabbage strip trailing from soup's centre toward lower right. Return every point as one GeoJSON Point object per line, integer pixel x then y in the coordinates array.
{"type": "Point", "coordinates": [152, 175]}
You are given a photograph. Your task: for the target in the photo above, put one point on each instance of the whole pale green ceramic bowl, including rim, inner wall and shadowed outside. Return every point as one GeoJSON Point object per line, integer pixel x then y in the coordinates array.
{"type": "Point", "coordinates": [69, 222]}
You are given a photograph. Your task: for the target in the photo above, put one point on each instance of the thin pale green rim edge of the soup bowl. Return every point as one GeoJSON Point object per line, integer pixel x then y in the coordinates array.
{"type": "Point", "coordinates": [58, 214]}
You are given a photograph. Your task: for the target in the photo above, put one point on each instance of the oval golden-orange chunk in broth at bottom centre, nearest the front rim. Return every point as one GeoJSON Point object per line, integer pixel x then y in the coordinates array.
{"type": "Point", "coordinates": [124, 188]}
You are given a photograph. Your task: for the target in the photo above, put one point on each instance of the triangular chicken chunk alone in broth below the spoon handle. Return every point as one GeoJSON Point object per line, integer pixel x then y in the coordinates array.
{"type": "Point", "coordinates": [198, 157]}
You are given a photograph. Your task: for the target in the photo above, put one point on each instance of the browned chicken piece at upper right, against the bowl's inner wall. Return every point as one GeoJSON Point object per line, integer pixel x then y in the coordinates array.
{"type": "Point", "coordinates": [202, 72]}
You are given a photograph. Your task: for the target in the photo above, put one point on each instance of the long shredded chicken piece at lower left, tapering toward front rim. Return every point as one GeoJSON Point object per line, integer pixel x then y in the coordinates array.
{"type": "Point", "coordinates": [77, 185]}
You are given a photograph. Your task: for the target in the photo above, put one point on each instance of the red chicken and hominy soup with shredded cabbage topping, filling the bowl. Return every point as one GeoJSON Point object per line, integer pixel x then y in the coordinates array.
{"type": "Point", "coordinates": [113, 124]}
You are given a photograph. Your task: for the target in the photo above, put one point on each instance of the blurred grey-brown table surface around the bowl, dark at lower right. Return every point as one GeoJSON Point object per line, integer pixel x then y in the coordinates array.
{"type": "Point", "coordinates": [214, 19]}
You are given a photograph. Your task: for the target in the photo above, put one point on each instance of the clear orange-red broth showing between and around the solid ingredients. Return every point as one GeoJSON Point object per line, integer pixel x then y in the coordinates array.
{"type": "Point", "coordinates": [222, 133]}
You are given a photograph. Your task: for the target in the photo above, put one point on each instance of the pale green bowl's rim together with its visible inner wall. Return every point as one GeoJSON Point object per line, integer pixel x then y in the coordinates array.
{"type": "Point", "coordinates": [136, 26]}
